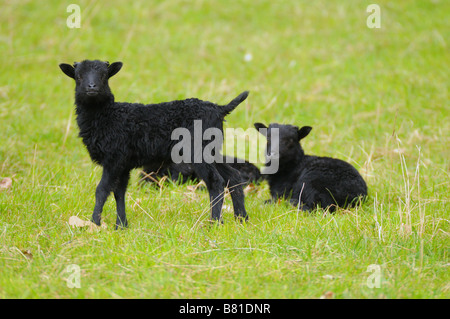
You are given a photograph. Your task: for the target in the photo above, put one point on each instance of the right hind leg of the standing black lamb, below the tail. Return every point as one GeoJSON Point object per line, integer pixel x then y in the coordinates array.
{"type": "Point", "coordinates": [234, 183]}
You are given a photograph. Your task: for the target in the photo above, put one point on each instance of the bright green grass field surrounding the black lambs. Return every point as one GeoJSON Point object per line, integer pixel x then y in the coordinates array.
{"type": "Point", "coordinates": [377, 98]}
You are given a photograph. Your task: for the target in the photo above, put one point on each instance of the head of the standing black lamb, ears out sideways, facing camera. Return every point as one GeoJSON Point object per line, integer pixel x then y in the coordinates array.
{"type": "Point", "coordinates": [91, 78]}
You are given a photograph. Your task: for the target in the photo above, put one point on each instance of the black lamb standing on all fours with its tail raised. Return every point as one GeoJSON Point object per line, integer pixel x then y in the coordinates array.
{"type": "Point", "coordinates": [123, 136]}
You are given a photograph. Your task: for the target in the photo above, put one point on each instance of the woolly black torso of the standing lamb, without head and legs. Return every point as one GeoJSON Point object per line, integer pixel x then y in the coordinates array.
{"type": "Point", "coordinates": [136, 133]}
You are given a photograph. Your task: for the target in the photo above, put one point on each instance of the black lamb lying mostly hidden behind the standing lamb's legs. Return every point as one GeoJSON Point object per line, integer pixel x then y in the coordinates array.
{"type": "Point", "coordinates": [184, 172]}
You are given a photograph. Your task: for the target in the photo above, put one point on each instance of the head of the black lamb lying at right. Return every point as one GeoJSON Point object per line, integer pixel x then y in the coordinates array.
{"type": "Point", "coordinates": [283, 141]}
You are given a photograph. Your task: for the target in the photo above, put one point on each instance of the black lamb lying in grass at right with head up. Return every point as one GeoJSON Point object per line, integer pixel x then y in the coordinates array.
{"type": "Point", "coordinates": [309, 181]}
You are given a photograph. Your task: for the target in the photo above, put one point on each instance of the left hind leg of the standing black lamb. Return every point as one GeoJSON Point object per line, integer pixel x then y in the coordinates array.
{"type": "Point", "coordinates": [216, 186]}
